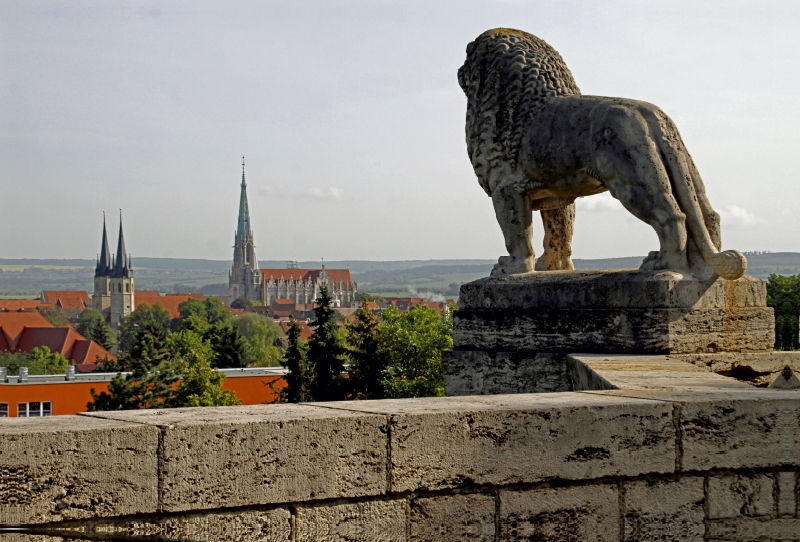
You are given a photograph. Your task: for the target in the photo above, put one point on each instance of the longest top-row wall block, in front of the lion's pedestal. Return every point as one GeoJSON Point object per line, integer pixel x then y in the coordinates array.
{"type": "Point", "coordinates": [452, 442]}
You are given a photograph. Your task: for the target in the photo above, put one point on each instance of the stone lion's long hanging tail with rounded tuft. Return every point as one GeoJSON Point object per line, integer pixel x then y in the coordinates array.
{"type": "Point", "coordinates": [701, 220]}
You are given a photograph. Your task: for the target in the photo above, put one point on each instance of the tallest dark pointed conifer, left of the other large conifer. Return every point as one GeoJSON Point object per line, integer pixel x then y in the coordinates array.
{"type": "Point", "coordinates": [327, 351]}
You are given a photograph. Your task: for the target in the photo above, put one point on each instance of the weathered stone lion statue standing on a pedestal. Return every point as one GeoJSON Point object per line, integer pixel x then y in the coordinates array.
{"type": "Point", "coordinates": [536, 143]}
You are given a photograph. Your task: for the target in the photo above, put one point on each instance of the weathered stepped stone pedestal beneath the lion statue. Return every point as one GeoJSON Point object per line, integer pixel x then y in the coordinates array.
{"type": "Point", "coordinates": [512, 334]}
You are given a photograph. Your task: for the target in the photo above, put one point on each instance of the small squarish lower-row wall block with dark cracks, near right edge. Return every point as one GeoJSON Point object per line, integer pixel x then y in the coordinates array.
{"type": "Point", "coordinates": [740, 495]}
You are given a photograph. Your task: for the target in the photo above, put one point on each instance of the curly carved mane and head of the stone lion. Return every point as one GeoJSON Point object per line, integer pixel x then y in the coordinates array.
{"type": "Point", "coordinates": [498, 114]}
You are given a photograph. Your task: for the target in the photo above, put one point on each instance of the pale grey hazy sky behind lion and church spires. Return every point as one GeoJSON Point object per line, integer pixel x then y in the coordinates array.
{"type": "Point", "coordinates": [352, 121]}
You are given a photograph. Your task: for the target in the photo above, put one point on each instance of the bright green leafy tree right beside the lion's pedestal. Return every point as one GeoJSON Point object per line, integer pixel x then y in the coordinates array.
{"type": "Point", "coordinates": [413, 343]}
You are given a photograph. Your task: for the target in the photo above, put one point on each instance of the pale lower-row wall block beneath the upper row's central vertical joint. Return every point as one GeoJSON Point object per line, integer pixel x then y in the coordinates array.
{"type": "Point", "coordinates": [353, 522]}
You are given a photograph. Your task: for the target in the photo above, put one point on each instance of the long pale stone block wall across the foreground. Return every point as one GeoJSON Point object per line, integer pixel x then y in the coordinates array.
{"type": "Point", "coordinates": [700, 462]}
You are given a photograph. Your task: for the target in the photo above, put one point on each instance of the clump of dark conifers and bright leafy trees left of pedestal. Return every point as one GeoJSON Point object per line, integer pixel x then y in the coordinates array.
{"type": "Point", "coordinates": [396, 355]}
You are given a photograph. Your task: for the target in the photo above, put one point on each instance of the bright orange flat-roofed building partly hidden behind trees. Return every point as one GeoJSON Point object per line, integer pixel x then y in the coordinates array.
{"type": "Point", "coordinates": [54, 395]}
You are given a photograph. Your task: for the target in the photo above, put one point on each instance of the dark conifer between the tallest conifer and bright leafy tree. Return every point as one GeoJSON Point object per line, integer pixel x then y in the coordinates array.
{"type": "Point", "coordinates": [368, 360]}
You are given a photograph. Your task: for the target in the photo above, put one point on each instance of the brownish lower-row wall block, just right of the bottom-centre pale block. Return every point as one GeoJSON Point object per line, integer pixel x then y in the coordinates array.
{"type": "Point", "coordinates": [453, 518]}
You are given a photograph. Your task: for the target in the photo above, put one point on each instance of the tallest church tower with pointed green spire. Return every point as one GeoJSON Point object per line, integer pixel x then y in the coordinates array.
{"type": "Point", "coordinates": [244, 279]}
